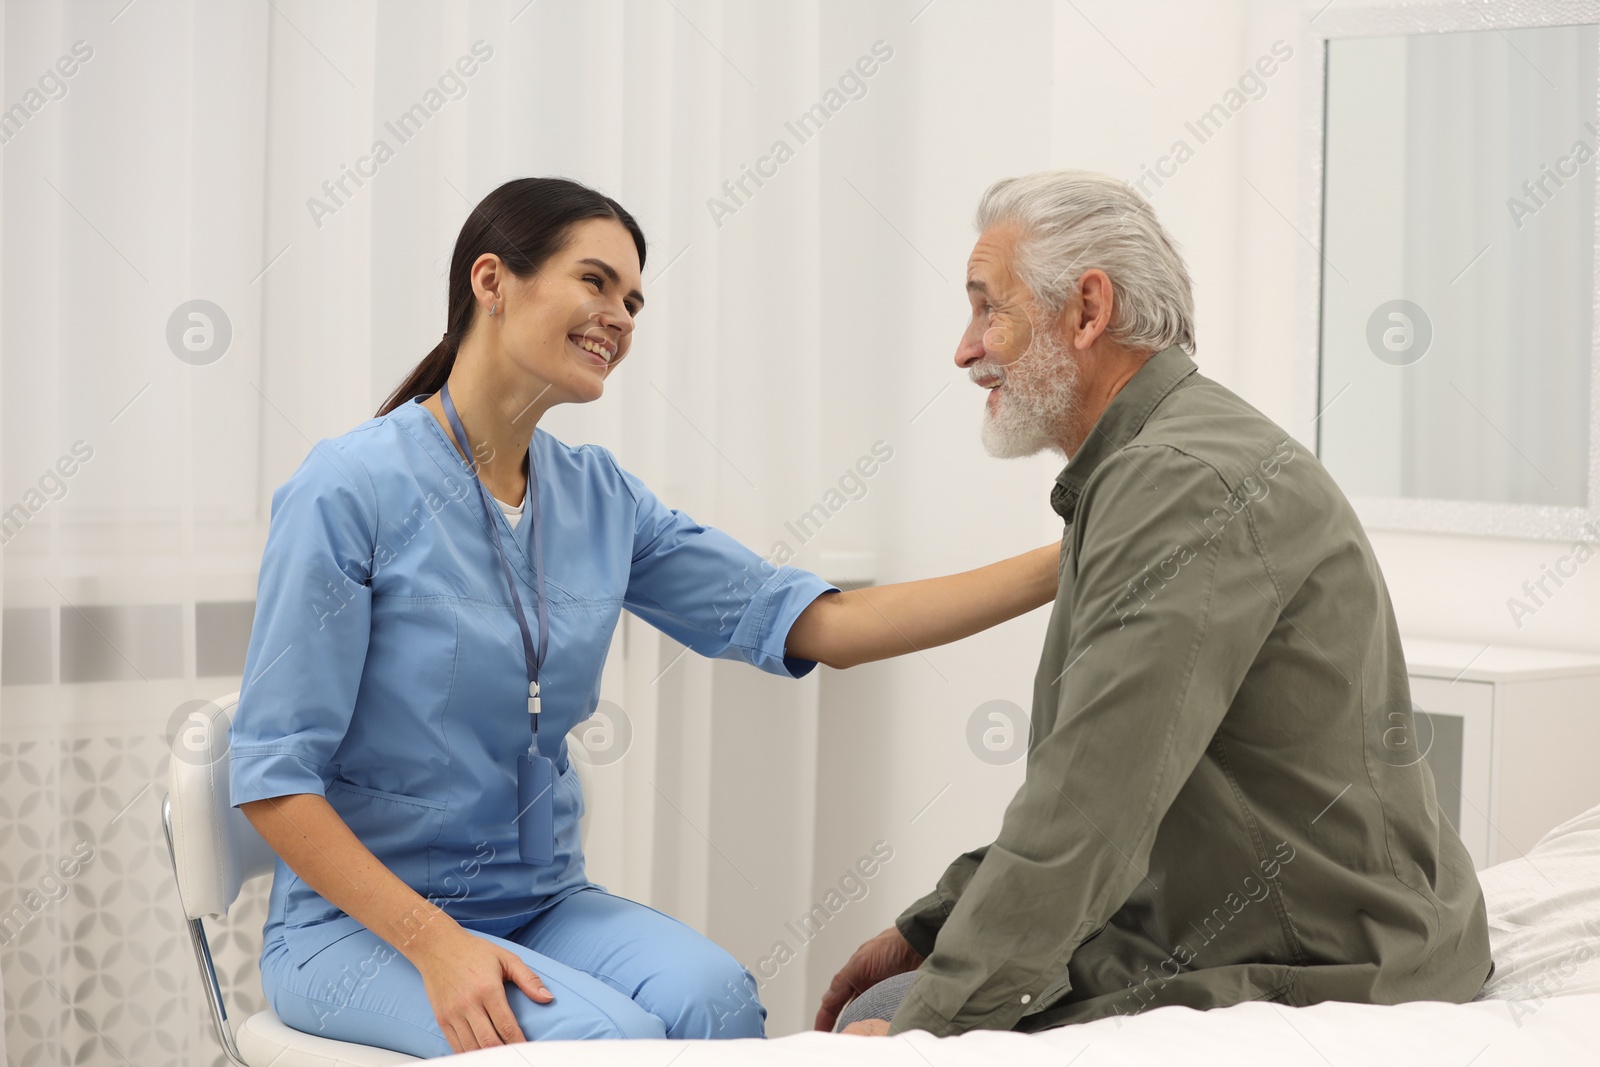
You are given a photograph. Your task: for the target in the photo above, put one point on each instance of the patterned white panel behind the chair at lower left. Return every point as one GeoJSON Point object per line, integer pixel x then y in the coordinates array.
{"type": "Point", "coordinates": [98, 967]}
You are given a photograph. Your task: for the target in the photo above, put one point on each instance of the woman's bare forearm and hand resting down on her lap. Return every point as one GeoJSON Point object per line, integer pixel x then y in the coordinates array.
{"type": "Point", "coordinates": [463, 975]}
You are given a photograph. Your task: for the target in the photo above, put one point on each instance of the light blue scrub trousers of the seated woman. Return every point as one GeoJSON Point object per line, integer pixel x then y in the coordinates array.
{"type": "Point", "coordinates": [618, 970]}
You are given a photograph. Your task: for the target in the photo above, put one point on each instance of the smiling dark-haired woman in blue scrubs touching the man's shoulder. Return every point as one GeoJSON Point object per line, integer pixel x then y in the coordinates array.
{"type": "Point", "coordinates": [431, 890]}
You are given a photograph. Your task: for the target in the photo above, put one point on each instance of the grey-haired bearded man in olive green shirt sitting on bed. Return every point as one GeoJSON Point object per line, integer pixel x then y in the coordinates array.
{"type": "Point", "coordinates": [1222, 799]}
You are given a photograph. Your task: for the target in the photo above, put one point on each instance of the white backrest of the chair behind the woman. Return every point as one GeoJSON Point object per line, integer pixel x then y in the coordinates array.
{"type": "Point", "coordinates": [215, 849]}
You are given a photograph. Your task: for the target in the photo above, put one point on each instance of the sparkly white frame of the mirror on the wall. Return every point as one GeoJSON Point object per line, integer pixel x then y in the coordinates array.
{"type": "Point", "coordinates": [1418, 514]}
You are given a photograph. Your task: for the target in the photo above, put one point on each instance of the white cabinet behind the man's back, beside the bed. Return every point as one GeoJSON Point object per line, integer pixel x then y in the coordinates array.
{"type": "Point", "coordinates": [1513, 737]}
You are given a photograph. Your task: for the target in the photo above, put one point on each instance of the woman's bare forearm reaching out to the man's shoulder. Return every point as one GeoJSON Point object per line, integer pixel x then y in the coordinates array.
{"type": "Point", "coordinates": [865, 625]}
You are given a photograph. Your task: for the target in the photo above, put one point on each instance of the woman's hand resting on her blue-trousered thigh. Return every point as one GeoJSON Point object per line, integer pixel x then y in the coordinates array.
{"type": "Point", "coordinates": [465, 978]}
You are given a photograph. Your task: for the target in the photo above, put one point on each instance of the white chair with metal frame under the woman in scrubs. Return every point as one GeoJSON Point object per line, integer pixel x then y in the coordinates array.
{"type": "Point", "coordinates": [215, 853]}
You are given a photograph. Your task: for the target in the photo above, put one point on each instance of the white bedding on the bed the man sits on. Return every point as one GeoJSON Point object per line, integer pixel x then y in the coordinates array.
{"type": "Point", "coordinates": [1543, 1007]}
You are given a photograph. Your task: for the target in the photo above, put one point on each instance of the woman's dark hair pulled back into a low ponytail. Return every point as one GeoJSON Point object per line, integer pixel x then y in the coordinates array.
{"type": "Point", "coordinates": [526, 222]}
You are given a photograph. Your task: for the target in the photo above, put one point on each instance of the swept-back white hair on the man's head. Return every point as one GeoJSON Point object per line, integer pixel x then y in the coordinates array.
{"type": "Point", "coordinates": [1076, 222]}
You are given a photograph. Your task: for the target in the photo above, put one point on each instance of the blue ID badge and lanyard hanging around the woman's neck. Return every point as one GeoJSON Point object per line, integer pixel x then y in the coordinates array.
{"type": "Point", "coordinates": [535, 772]}
